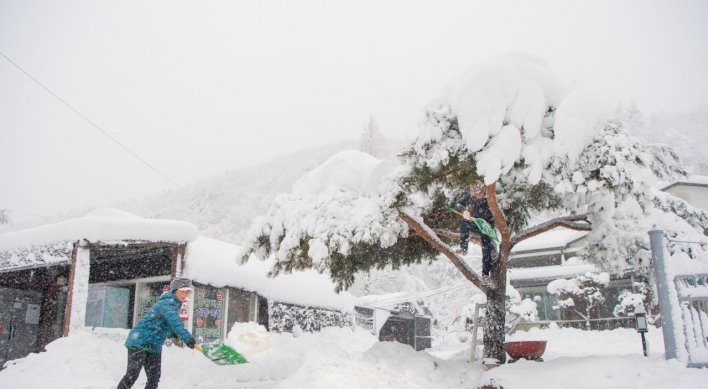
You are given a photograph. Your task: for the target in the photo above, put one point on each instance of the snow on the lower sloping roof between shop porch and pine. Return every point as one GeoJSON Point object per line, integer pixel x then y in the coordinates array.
{"type": "Point", "coordinates": [213, 262]}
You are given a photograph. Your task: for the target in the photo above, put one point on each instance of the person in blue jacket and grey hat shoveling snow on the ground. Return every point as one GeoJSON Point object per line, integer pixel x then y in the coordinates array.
{"type": "Point", "coordinates": [145, 340]}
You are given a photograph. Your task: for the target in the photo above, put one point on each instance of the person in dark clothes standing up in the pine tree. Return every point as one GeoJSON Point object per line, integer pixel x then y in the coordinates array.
{"type": "Point", "coordinates": [475, 205]}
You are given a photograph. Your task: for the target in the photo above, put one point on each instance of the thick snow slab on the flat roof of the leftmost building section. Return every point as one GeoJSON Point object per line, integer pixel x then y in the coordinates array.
{"type": "Point", "coordinates": [104, 225]}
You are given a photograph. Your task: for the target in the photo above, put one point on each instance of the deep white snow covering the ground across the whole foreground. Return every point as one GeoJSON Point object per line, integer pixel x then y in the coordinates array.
{"type": "Point", "coordinates": [342, 358]}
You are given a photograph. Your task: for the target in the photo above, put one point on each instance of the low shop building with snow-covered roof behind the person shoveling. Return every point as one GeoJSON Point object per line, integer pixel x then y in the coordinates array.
{"type": "Point", "coordinates": [108, 268]}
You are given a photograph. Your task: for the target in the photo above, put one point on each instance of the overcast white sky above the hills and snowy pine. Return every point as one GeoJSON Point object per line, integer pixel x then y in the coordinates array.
{"type": "Point", "coordinates": [199, 88]}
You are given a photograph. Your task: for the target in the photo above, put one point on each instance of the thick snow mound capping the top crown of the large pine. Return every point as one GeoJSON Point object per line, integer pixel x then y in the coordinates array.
{"type": "Point", "coordinates": [515, 106]}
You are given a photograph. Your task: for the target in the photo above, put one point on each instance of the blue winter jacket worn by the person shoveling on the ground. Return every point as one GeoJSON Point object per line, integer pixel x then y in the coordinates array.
{"type": "Point", "coordinates": [160, 322]}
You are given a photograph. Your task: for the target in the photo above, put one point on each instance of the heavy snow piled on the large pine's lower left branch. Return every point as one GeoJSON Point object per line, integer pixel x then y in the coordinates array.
{"type": "Point", "coordinates": [345, 200]}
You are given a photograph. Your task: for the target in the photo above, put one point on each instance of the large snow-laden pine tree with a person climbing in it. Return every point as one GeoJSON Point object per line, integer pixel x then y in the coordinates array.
{"type": "Point", "coordinates": [541, 143]}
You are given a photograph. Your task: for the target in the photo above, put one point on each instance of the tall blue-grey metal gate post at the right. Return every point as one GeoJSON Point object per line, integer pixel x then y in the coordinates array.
{"type": "Point", "coordinates": [656, 239]}
